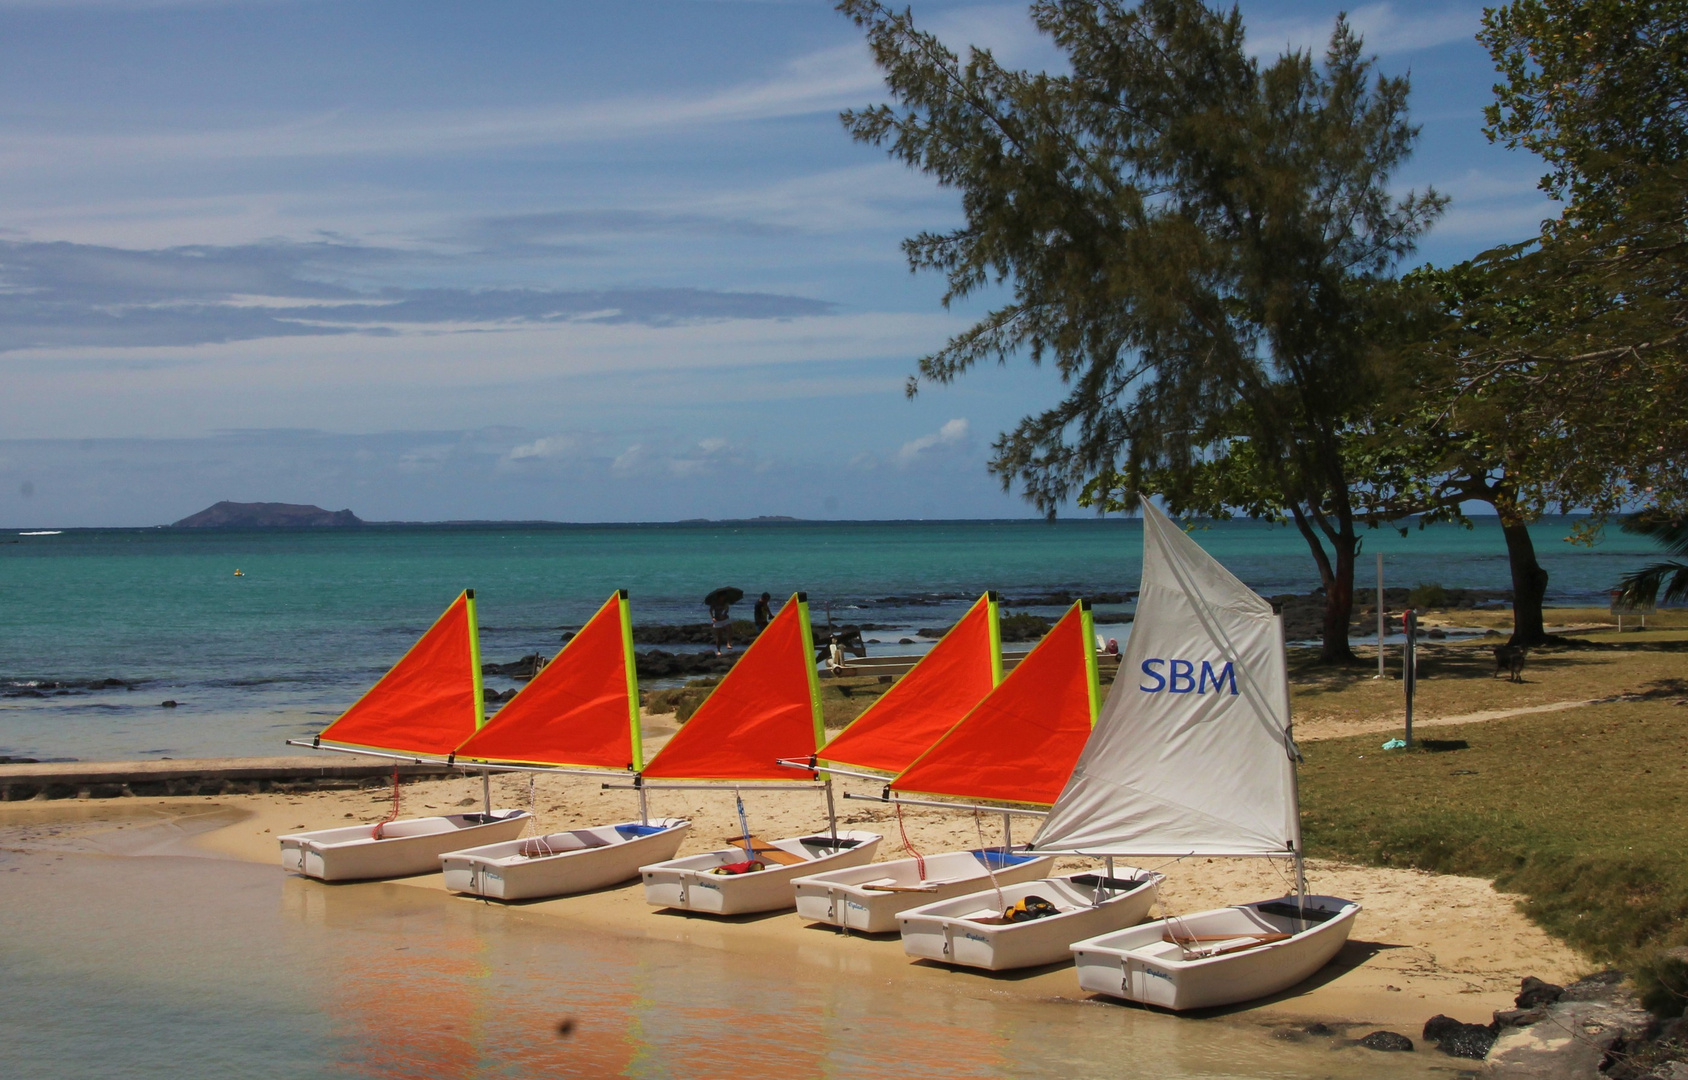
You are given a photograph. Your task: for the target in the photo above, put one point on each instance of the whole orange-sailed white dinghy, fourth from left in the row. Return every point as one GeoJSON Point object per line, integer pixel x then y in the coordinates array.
{"type": "Point", "coordinates": [889, 737]}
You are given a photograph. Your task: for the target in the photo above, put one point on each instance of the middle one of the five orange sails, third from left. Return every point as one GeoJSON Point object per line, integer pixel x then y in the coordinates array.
{"type": "Point", "coordinates": [767, 708]}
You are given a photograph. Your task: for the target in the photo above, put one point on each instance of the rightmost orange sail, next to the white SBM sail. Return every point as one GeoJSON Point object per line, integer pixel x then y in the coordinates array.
{"type": "Point", "coordinates": [1022, 742]}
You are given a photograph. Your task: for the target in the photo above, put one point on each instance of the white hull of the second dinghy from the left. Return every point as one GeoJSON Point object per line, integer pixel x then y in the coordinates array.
{"type": "Point", "coordinates": [561, 863]}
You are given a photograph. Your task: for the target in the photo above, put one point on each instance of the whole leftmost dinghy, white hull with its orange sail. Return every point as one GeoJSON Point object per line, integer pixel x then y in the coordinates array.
{"type": "Point", "coordinates": [428, 705]}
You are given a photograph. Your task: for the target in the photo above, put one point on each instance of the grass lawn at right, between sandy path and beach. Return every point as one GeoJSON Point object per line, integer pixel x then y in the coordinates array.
{"type": "Point", "coordinates": [1584, 813]}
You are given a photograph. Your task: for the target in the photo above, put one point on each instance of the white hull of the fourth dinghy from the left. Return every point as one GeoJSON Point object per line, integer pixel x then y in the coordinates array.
{"type": "Point", "coordinates": [868, 899]}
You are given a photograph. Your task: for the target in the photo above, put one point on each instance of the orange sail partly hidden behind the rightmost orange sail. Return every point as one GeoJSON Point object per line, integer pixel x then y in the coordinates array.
{"type": "Point", "coordinates": [936, 694]}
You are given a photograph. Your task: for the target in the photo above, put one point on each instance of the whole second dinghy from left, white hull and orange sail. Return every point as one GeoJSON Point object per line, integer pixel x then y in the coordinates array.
{"type": "Point", "coordinates": [578, 713]}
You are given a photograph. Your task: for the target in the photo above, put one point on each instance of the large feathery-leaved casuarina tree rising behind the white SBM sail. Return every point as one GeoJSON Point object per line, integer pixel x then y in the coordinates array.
{"type": "Point", "coordinates": [1199, 244]}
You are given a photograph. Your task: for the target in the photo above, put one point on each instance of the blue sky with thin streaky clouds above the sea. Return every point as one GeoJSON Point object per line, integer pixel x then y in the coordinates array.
{"type": "Point", "coordinates": [560, 261]}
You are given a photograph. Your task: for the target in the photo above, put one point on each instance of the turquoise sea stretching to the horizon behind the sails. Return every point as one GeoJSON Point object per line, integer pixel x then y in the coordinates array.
{"type": "Point", "coordinates": [318, 617]}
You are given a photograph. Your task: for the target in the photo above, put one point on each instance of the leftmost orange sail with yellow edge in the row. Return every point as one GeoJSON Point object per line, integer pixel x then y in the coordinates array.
{"type": "Point", "coordinates": [431, 701]}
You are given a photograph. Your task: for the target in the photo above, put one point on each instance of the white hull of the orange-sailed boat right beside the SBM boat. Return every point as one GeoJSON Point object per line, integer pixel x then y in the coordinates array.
{"type": "Point", "coordinates": [968, 931]}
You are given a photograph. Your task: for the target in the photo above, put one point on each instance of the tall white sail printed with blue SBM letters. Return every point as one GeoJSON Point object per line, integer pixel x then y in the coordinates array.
{"type": "Point", "coordinates": [1193, 752]}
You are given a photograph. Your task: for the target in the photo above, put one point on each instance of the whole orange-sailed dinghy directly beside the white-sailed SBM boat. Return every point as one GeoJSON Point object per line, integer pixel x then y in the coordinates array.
{"type": "Point", "coordinates": [1019, 747]}
